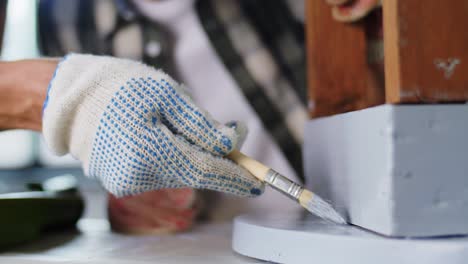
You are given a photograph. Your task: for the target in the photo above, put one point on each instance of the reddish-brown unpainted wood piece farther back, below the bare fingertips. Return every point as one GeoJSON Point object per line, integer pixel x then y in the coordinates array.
{"type": "Point", "coordinates": [340, 79]}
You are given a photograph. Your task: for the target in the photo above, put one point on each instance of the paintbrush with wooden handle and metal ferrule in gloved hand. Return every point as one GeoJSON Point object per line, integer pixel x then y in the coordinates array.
{"type": "Point", "coordinates": [310, 201]}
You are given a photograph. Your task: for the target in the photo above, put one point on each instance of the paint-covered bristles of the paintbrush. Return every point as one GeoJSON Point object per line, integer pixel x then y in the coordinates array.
{"type": "Point", "coordinates": [320, 208]}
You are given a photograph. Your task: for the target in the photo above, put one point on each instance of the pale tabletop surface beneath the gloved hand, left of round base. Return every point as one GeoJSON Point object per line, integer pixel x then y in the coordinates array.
{"type": "Point", "coordinates": [95, 243]}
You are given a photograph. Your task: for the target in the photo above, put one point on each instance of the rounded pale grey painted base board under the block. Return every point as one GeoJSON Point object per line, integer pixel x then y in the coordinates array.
{"type": "Point", "coordinates": [296, 238]}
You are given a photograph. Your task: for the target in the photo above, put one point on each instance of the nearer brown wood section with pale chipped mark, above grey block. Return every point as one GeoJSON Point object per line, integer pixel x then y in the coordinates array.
{"type": "Point", "coordinates": [426, 50]}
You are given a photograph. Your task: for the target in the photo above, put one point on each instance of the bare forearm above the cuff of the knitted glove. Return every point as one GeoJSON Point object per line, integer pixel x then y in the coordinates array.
{"type": "Point", "coordinates": [23, 88]}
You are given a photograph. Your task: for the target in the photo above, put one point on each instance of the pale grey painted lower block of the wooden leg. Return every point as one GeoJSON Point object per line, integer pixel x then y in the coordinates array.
{"type": "Point", "coordinates": [399, 170]}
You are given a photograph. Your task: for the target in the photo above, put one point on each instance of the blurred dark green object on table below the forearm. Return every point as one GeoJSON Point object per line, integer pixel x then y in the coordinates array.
{"type": "Point", "coordinates": [52, 204]}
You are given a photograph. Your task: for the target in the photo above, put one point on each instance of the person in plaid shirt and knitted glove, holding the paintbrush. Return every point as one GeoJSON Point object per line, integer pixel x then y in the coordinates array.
{"type": "Point", "coordinates": [150, 141]}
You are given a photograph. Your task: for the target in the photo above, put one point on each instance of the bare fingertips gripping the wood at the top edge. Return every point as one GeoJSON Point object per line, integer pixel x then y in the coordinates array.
{"type": "Point", "coordinates": [352, 10]}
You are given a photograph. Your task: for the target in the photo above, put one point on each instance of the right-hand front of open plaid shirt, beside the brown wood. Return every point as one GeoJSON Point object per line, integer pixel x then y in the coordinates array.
{"type": "Point", "coordinates": [263, 48]}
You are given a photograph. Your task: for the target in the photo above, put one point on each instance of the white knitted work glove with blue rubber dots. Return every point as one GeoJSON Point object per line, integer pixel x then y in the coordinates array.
{"type": "Point", "coordinates": [135, 129]}
